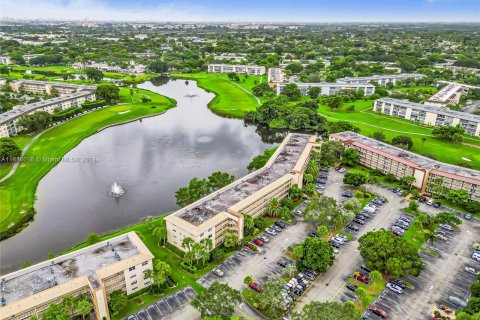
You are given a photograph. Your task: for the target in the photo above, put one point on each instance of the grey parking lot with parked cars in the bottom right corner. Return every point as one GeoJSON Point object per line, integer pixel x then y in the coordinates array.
{"type": "Point", "coordinates": [443, 276]}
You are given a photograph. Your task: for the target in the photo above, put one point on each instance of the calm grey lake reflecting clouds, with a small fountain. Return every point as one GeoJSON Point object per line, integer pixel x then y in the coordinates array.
{"type": "Point", "coordinates": [149, 158]}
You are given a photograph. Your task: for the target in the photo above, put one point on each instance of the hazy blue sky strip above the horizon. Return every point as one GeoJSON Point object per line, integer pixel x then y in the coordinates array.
{"type": "Point", "coordinates": [247, 10]}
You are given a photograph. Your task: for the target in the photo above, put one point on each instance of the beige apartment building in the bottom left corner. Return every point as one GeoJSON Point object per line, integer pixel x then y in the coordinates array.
{"type": "Point", "coordinates": [119, 263]}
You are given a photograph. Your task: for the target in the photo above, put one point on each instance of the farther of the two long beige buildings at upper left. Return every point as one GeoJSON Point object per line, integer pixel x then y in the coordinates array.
{"type": "Point", "coordinates": [44, 87]}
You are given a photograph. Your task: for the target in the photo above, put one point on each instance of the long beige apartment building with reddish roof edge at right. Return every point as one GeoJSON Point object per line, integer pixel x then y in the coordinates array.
{"type": "Point", "coordinates": [389, 159]}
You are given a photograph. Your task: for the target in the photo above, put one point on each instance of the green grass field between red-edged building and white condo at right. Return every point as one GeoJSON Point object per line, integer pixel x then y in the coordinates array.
{"type": "Point", "coordinates": [369, 122]}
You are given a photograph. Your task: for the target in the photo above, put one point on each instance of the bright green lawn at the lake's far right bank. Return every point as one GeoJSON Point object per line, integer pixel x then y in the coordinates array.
{"type": "Point", "coordinates": [230, 100]}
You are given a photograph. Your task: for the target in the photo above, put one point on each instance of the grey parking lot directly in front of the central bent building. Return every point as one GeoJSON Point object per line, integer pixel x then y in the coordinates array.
{"type": "Point", "coordinates": [260, 265]}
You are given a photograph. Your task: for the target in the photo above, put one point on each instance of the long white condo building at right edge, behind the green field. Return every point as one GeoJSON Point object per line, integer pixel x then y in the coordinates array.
{"type": "Point", "coordinates": [431, 115]}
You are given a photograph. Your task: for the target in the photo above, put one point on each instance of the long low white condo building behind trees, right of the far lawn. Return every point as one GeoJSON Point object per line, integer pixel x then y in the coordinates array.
{"type": "Point", "coordinates": [327, 89]}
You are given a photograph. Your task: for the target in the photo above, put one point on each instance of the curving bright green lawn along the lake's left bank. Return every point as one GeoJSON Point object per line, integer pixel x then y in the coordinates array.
{"type": "Point", "coordinates": [18, 192]}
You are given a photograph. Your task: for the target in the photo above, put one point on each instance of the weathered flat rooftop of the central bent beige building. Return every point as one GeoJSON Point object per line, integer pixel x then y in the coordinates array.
{"type": "Point", "coordinates": [240, 189]}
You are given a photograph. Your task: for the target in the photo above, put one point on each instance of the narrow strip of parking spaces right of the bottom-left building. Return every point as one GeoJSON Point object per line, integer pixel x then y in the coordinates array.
{"type": "Point", "coordinates": [164, 307]}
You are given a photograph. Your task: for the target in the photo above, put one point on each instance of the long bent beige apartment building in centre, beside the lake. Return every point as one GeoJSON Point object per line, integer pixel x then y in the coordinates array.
{"type": "Point", "coordinates": [224, 210]}
